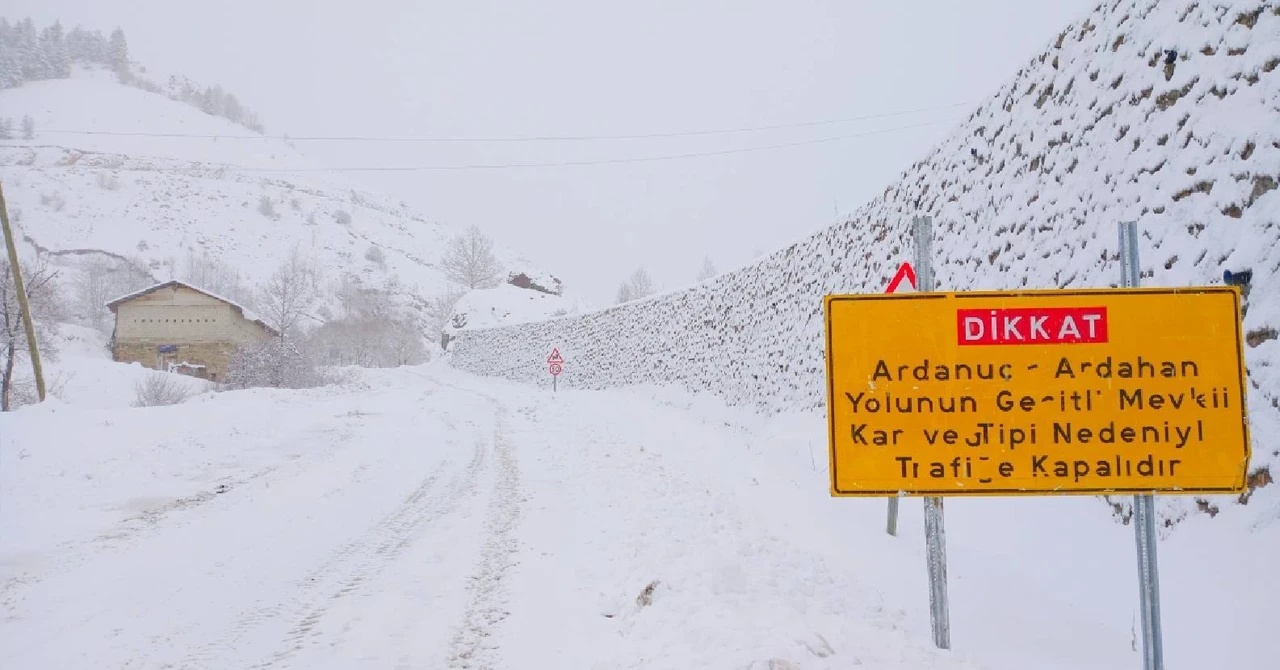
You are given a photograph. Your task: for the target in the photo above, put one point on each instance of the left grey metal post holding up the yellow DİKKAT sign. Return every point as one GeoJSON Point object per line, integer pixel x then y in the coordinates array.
{"type": "Point", "coordinates": [935, 530]}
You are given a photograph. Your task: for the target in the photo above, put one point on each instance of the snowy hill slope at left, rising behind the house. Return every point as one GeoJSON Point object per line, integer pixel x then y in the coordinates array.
{"type": "Point", "coordinates": [159, 199]}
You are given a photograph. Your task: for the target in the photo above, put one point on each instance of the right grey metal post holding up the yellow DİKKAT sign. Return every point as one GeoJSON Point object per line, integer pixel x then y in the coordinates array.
{"type": "Point", "coordinates": [1144, 504]}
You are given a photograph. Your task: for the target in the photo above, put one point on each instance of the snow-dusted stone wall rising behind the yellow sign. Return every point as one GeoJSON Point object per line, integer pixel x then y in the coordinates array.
{"type": "Point", "coordinates": [1165, 113]}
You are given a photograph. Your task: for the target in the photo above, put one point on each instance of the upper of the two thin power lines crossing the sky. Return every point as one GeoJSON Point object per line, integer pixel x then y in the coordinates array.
{"type": "Point", "coordinates": [514, 139]}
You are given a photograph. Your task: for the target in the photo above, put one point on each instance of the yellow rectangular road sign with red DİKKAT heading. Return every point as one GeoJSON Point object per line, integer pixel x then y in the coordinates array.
{"type": "Point", "coordinates": [1037, 393]}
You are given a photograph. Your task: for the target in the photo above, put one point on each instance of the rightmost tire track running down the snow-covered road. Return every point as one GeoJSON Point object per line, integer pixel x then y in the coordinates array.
{"type": "Point", "coordinates": [487, 609]}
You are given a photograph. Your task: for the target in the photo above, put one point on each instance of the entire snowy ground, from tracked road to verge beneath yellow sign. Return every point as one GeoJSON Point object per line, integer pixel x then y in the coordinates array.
{"type": "Point", "coordinates": [426, 518]}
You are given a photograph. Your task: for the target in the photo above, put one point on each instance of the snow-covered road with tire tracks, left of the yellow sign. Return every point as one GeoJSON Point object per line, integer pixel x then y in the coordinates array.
{"type": "Point", "coordinates": [435, 521]}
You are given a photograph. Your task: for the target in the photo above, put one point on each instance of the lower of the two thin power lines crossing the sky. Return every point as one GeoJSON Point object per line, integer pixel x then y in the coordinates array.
{"type": "Point", "coordinates": [208, 167]}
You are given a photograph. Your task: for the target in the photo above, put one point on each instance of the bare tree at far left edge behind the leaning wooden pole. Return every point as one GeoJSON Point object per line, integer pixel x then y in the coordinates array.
{"type": "Point", "coordinates": [47, 304]}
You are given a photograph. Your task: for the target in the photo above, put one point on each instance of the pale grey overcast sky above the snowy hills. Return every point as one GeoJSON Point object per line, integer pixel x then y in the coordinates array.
{"type": "Point", "coordinates": [484, 69]}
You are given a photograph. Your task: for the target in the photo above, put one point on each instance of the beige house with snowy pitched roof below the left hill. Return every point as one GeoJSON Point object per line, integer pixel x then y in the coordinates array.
{"type": "Point", "coordinates": [179, 327]}
